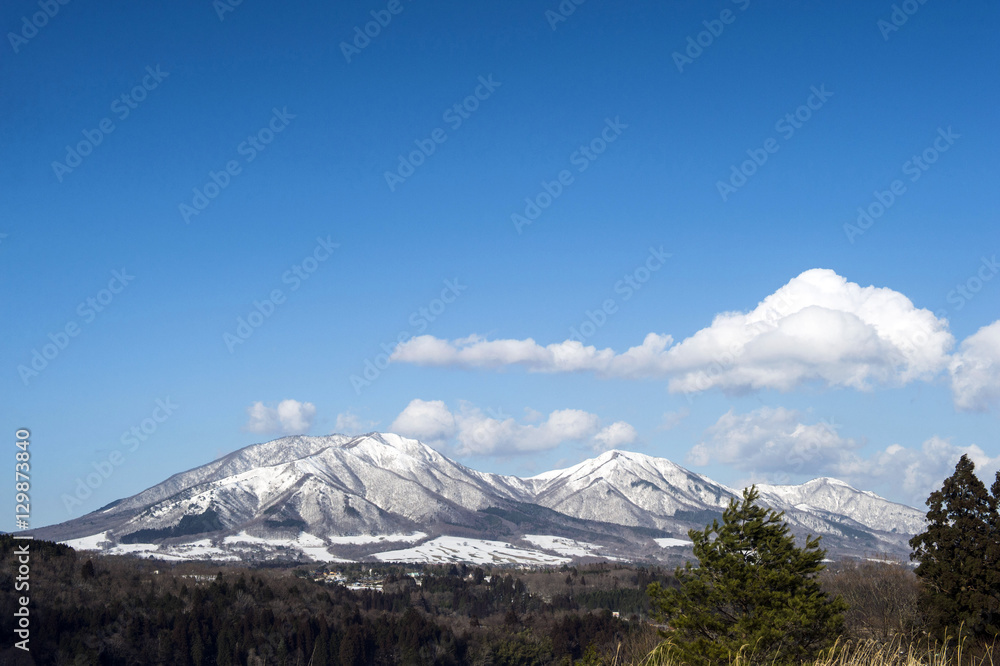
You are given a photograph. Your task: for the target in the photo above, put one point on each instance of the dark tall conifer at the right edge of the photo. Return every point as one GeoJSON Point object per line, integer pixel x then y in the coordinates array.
{"type": "Point", "coordinates": [959, 556]}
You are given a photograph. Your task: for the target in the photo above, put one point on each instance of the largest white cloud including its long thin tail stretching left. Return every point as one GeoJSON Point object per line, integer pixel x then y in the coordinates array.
{"type": "Point", "coordinates": [817, 328]}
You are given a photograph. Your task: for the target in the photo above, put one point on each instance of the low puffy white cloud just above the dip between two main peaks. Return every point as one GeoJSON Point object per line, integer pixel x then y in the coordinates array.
{"type": "Point", "coordinates": [471, 431]}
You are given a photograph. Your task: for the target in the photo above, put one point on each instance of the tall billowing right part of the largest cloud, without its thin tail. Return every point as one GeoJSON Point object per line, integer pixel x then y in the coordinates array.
{"type": "Point", "coordinates": [818, 327]}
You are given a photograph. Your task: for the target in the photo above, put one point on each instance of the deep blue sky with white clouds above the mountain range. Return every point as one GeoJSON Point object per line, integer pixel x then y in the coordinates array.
{"type": "Point", "coordinates": [215, 155]}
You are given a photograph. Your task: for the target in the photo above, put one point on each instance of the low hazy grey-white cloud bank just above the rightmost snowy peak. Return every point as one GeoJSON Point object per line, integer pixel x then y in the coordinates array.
{"type": "Point", "coordinates": [775, 445]}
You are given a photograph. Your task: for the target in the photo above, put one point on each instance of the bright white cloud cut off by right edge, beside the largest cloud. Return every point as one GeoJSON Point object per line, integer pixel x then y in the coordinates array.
{"type": "Point", "coordinates": [975, 371]}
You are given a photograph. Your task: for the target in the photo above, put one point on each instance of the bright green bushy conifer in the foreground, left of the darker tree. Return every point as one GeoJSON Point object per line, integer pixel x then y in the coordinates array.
{"type": "Point", "coordinates": [753, 591]}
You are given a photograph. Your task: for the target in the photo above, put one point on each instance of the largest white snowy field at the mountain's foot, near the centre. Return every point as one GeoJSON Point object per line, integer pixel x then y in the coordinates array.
{"type": "Point", "coordinates": [474, 551]}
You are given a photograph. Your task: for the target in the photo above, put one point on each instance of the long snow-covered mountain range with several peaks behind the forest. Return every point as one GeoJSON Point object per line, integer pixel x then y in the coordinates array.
{"type": "Point", "coordinates": [353, 497]}
